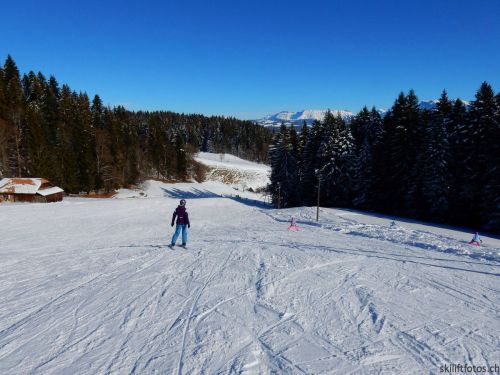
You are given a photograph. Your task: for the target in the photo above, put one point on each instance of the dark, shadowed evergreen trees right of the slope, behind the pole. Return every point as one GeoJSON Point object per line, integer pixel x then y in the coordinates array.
{"type": "Point", "coordinates": [441, 165]}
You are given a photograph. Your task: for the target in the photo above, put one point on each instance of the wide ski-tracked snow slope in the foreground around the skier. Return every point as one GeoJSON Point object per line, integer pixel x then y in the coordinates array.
{"type": "Point", "coordinates": [89, 286]}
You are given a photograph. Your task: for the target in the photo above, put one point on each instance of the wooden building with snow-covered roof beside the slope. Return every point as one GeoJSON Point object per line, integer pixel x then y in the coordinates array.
{"type": "Point", "coordinates": [29, 190]}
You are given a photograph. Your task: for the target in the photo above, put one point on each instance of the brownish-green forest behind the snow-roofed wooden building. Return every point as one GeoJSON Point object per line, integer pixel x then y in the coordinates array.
{"type": "Point", "coordinates": [51, 131]}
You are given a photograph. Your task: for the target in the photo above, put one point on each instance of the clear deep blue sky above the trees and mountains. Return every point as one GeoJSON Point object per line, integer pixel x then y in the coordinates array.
{"type": "Point", "coordinates": [251, 58]}
